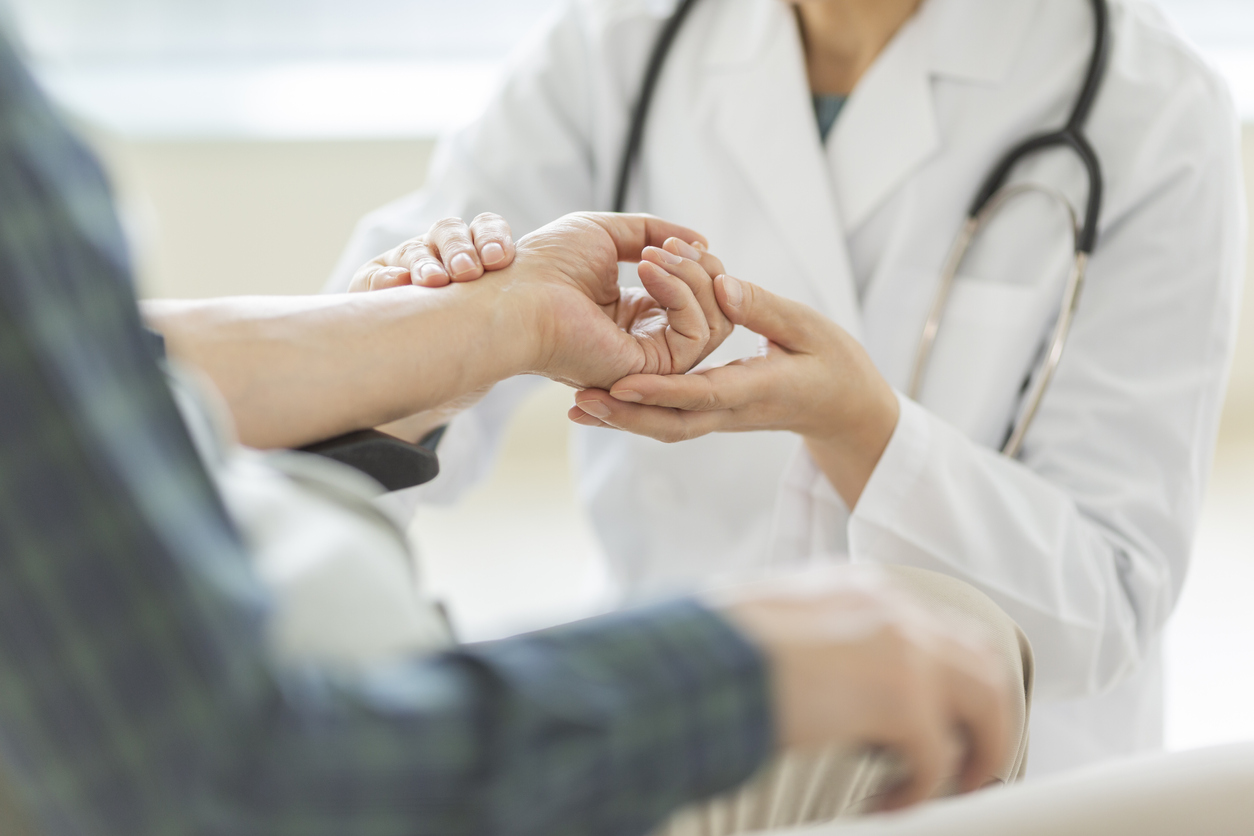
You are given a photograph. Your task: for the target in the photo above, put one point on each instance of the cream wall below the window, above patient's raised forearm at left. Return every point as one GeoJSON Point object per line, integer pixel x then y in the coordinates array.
{"type": "Point", "coordinates": [228, 219]}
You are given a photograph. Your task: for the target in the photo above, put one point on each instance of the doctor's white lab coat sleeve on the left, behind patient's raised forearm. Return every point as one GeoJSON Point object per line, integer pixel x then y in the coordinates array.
{"type": "Point", "coordinates": [531, 157]}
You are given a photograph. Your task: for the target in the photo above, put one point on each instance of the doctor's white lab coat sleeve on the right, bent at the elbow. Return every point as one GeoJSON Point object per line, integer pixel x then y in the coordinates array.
{"type": "Point", "coordinates": [1087, 538]}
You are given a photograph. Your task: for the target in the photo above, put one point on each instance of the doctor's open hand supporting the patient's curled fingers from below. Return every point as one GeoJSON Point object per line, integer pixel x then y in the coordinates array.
{"type": "Point", "coordinates": [812, 379]}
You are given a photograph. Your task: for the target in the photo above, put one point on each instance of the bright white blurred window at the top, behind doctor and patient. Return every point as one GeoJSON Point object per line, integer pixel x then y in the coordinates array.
{"type": "Point", "coordinates": [337, 68]}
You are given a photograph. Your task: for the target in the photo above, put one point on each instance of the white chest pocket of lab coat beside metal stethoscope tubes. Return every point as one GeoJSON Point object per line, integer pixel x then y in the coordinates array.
{"type": "Point", "coordinates": [989, 340]}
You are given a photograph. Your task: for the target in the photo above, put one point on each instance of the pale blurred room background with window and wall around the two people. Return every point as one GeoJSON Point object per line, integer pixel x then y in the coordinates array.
{"type": "Point", "coordinates": [246, 138]}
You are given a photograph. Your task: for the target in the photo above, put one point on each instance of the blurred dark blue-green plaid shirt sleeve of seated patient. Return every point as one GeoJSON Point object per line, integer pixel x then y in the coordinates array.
{"type": "Point", "coordinates": [136, 692]}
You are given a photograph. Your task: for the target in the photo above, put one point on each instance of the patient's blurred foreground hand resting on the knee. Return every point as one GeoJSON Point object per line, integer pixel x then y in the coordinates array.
{"type": "Point", "coordinates": [858, 665]}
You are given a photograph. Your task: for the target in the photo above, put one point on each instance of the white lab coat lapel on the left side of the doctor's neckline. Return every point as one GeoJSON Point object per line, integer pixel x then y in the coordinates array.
{"type": "Point", "coordinates": [764, 117]}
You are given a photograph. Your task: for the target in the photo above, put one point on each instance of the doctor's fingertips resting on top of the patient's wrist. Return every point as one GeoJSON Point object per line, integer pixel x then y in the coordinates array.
{"type": "Point", "coordinates": [452, 251]}
